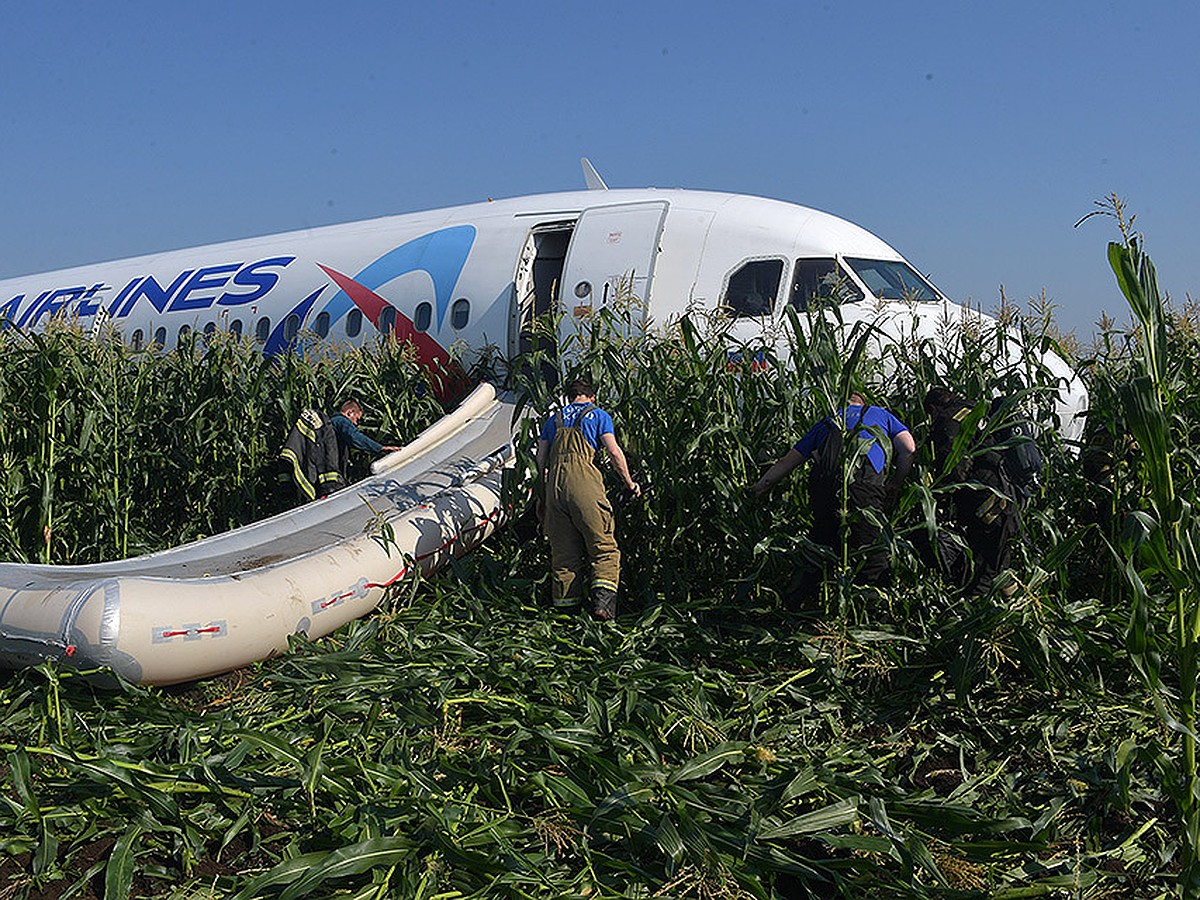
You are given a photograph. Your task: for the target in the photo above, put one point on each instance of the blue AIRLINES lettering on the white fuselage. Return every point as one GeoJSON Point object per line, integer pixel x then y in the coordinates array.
{"type": "Point", "coordinates": [190, 291]}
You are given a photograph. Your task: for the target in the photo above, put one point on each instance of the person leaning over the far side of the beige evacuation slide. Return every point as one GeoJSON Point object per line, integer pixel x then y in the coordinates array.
{"type": "Point", "coordinates": [315, 459]}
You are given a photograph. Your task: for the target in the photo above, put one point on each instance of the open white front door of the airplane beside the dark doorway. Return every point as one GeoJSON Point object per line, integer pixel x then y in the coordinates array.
{"type": "Point", "coordinates": [610, 263]}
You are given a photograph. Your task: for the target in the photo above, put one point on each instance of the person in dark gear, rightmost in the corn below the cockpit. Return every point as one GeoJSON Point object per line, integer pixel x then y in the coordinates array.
{"type": "Point", "coordinates": [985, 506]}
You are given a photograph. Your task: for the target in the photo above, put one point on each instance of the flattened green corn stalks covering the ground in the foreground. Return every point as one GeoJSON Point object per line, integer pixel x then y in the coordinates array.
{"type": "Point", "coordinates": [454, 745]}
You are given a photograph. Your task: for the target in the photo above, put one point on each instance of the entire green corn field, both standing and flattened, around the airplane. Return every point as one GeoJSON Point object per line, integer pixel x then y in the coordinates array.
{"type": "Point", "coordinates": [470, 741]}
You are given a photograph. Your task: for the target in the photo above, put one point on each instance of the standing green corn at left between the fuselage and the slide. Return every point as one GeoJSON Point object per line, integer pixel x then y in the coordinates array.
{"type": "Point", "coordinates": [110, 453]}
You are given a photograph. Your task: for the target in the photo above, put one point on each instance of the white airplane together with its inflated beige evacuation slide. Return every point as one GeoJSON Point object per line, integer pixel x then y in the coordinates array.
{"type": "Point", "coordinates": [459, 281]}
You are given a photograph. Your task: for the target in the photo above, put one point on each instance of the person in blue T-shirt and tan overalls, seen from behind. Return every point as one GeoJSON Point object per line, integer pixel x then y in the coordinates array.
{"type": "Point", "coordinates": [579, 518]}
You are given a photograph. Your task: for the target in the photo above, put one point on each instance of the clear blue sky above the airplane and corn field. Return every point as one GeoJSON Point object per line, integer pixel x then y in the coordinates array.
{"type": "Point", "coordinates": [970, 136]}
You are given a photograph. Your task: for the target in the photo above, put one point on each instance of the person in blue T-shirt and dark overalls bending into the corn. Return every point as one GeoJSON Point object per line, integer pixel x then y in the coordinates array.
{"type": "Point", "coordinates": [871, 490]}
